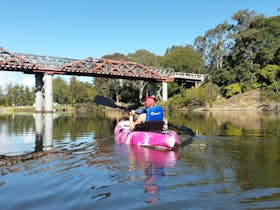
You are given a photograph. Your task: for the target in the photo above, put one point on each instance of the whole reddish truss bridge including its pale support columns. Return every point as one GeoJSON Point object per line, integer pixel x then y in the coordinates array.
{"type": "Point", "coordinates": [47, 66]}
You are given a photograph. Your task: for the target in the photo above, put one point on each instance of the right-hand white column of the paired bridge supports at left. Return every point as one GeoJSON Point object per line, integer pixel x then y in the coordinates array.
{"type": "Point", "coordinates": [48, 87]}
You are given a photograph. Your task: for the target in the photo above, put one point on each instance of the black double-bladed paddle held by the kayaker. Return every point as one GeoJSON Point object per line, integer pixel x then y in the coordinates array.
{"type": "Point", "coordinates": [101, 100]}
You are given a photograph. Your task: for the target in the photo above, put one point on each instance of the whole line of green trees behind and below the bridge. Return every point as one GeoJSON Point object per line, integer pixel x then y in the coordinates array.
{"type": "Point", "coordinates": [238, 57]}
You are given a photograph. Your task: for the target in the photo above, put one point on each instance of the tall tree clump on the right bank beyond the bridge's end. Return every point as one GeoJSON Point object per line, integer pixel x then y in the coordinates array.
{"type": "Point", "coordinates": [246, 48]}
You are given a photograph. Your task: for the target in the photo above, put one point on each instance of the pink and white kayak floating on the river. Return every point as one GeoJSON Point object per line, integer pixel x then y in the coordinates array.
{"type": "Point", "coordinates": [165, 140]}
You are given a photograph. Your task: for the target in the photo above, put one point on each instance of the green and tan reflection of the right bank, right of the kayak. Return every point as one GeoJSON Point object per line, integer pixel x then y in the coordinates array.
{"type": "Point", "coordinates": [228, 123]}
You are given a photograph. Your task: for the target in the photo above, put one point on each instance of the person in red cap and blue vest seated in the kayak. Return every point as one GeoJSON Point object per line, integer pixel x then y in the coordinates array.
{"type": "Point", "coordinates": [150, 119]}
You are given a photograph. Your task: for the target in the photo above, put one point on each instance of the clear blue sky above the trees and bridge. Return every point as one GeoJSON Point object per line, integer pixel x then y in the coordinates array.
{"type": "Point", "coordinates": [93, 28]}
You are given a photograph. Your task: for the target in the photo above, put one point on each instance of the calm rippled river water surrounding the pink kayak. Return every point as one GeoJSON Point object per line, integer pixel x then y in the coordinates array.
{"type": "Point", "coordinates": [72, 162]}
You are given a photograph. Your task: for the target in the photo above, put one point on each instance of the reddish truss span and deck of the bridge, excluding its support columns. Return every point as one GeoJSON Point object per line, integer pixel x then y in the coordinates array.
{"type": "Point", "coordinates": [94, 67]}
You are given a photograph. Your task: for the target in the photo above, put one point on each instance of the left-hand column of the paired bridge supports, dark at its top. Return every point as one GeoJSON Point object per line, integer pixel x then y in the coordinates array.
{"type": "Point", "coordinates": [39, 101]}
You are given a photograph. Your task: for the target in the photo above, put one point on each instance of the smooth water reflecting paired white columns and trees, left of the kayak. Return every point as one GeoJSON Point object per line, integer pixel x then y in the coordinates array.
{"type": "Point", "coordinates": [23, 134]}
